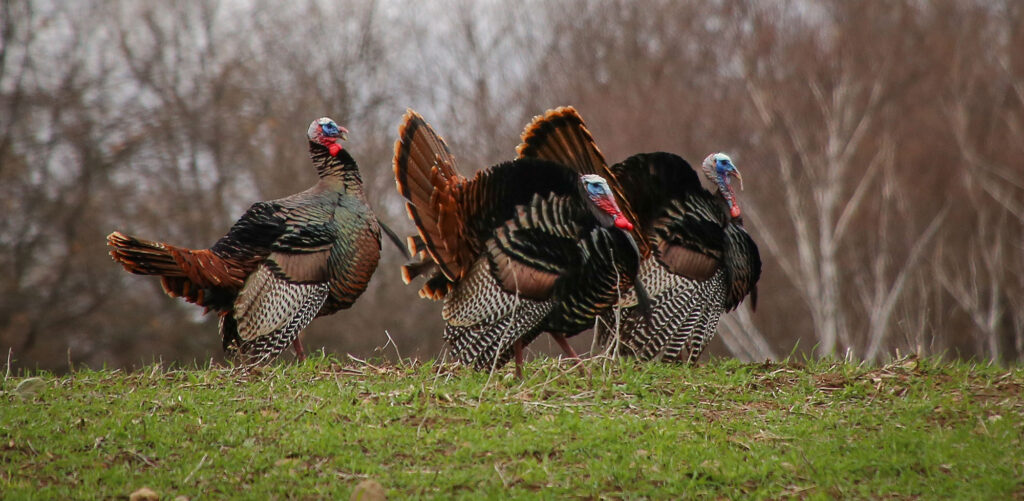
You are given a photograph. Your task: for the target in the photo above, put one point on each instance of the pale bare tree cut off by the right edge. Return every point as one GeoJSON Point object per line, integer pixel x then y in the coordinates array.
{"type": "Point", "coordinates": [986, 109]}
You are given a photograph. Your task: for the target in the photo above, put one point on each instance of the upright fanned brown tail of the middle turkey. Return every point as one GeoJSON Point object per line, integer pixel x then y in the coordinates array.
{"type": "Point", "coordinates": [424, 172]}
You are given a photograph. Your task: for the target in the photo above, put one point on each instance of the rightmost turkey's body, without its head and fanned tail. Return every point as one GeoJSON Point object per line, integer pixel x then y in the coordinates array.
{"type": "Point", "coordinates": [702, 265]}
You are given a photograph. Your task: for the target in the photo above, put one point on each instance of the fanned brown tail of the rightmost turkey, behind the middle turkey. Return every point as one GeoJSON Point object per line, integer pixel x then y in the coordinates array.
{"type": "Point", "coordinates": [561, 136]}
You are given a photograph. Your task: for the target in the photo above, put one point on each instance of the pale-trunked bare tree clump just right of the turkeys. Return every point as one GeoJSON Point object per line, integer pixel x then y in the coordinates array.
{"type": "Point", "coordinates": [828, 126]}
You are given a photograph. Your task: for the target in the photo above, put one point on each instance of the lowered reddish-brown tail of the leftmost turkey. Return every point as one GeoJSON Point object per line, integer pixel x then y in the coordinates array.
{"type": "Point", "coordinates": [185, 273]}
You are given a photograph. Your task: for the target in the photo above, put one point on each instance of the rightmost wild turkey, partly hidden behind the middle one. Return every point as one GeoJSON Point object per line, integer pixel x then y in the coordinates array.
{"type": "Point", "coordinates": [699, 261]}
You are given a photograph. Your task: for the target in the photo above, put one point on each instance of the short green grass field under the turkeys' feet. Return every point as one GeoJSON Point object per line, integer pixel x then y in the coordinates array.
{"type": "Point", "coordinates": [914, 429]}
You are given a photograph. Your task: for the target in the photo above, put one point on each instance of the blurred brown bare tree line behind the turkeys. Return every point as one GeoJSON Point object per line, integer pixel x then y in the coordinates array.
{"type": "Point", "coordinates": [881, 145]}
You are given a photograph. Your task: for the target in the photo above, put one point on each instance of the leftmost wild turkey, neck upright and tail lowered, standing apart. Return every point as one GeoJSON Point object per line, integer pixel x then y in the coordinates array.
{"type": "Point", "coordinates": [283, 264]}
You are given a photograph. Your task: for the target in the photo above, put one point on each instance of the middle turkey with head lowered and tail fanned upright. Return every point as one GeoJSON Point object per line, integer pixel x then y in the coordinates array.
{"type": "Point", "coordinates": [522, 246]}
